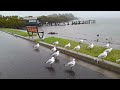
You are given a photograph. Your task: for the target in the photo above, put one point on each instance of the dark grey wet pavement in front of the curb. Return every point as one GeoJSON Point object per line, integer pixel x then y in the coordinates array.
{"type": "Point", "coordinates": [18, 60]}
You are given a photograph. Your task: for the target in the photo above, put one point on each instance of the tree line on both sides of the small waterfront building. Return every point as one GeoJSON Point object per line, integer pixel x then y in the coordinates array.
{"type": "Point", "coordinates": [18, 22]}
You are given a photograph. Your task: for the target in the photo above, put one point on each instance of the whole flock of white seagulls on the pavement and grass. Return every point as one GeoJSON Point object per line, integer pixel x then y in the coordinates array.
{"type": "Point", "coordinates": [72, 63]}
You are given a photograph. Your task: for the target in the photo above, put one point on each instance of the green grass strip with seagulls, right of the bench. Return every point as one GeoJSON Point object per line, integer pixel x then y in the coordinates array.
{"type": "Point", "coordinates": [112, 56]}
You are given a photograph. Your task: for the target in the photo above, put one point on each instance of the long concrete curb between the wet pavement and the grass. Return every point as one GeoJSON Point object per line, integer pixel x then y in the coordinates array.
{"type": "Point", "coordinates": [90, 59]}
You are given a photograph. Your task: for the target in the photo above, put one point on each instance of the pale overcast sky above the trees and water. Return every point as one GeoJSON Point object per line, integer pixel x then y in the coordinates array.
{"type": "Point", "coordinates": [83, 14]}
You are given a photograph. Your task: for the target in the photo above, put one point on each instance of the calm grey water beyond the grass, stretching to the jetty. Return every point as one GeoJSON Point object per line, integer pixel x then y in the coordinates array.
{"type": "Point", "coordinates": [108, 29]}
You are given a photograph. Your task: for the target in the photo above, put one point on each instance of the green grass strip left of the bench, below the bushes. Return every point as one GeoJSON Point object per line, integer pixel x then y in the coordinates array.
{"type": "Point", "coordinates": [18, 32]}
